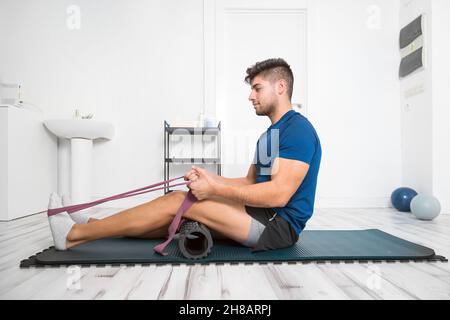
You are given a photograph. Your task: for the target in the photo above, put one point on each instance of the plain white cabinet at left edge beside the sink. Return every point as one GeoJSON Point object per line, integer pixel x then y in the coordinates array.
{"type": "Point", "coordinates": [28, 163]}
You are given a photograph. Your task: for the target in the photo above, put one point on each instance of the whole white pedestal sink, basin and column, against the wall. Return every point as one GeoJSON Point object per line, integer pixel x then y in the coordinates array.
{"type": "Point", "coordinates": [75, 171]}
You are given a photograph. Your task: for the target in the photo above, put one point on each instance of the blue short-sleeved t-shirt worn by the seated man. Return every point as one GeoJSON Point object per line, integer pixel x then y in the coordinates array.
{"type": "Point", "coordinates": [292, 137]}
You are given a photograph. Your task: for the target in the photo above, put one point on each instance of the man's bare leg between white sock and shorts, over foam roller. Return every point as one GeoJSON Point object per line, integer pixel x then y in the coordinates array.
{"type": "Point", "coordinates": [152, 219]}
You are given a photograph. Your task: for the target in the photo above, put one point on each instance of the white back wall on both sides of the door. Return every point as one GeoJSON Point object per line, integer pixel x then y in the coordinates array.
{"type": "Point", "coordinates": [141, 63]}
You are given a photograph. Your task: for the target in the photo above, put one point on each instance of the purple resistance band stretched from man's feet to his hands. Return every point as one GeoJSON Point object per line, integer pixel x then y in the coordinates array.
{"type": "Point", "coordinates": [187, 203]}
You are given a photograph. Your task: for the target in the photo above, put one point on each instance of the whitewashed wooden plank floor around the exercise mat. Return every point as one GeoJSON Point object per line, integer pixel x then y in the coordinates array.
{"type": "Point", "coordinates": [22, 238]}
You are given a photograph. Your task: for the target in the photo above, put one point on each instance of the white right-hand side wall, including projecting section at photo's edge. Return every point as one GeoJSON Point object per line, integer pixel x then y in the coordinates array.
{"type": "Point", "coordinates": [425, 115]}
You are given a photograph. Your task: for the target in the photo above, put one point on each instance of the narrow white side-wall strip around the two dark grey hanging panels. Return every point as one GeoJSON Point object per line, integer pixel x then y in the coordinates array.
{"type": "Point", "coordinates": [417, 109]}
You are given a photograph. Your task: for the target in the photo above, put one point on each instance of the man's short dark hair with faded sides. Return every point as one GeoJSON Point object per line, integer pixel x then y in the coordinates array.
{"type": "Point", "coordinates": [272, 70]}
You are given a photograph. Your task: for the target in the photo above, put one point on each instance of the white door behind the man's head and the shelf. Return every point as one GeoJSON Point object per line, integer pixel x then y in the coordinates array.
{"type": "Point", "coordinates": [241, 33]}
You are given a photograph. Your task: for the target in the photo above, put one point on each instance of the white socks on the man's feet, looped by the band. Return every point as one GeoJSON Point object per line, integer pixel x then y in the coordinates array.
{"type": "Point", "coordinates": [60, 224]}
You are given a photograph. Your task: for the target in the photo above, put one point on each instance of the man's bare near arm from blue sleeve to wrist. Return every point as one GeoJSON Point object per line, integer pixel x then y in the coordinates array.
{"type": "Point", "coordinates": [287, 176]}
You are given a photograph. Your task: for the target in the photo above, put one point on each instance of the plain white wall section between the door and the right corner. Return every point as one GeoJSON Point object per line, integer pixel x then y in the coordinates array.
{"type": "Point", "coordinates": [355, 101]}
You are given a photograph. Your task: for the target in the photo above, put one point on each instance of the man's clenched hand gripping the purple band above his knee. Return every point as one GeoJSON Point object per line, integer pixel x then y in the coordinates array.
{"type": "Point", "coordinates": [202, 183]}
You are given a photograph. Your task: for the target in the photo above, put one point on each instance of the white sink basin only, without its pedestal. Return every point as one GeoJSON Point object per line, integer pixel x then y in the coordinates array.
{"type": "Point", "coordinates": [80, 128]}
